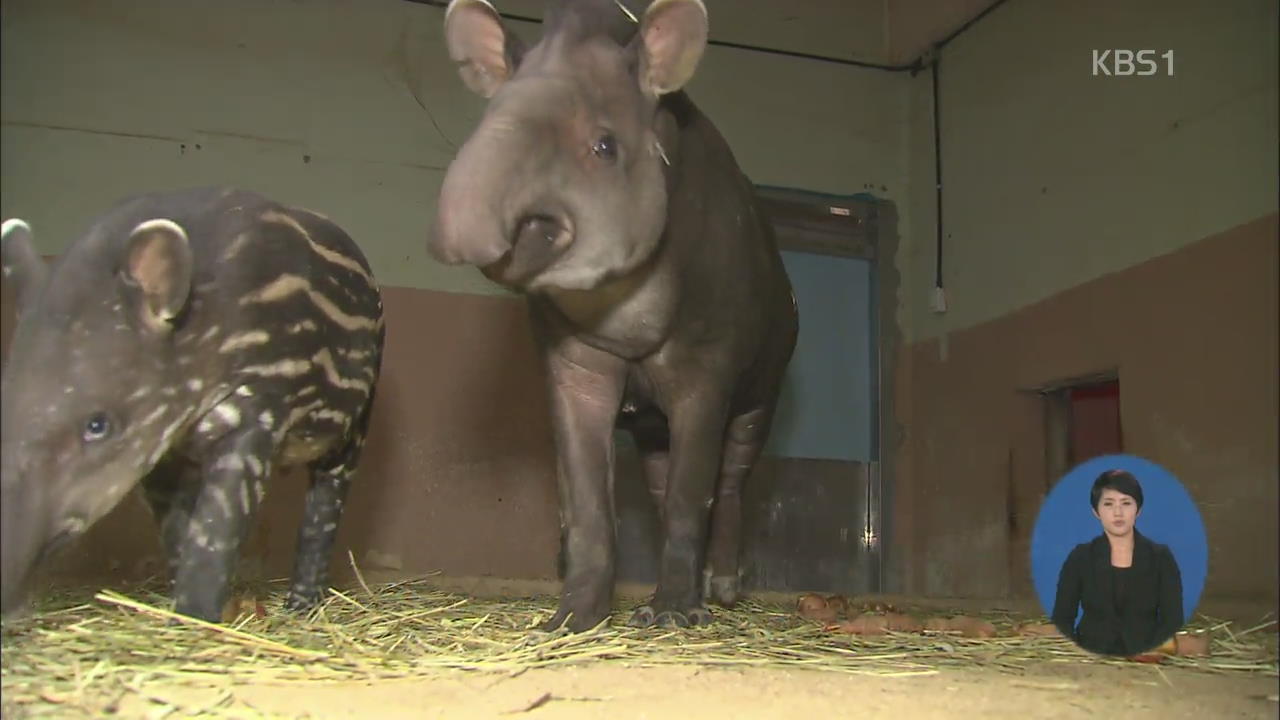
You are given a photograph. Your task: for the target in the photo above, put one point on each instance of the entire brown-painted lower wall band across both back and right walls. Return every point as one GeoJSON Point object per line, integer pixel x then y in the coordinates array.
{"type": "Point", "coordinates": [459, 473]}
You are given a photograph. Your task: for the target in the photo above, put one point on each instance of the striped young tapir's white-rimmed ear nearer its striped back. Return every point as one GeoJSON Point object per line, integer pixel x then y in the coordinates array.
{"type": "Point", "coordinates": [158, 262]}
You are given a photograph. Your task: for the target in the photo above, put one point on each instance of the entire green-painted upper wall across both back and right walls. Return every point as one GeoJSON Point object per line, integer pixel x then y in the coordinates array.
{"type": "Point", "coordinates": [1053, 176]}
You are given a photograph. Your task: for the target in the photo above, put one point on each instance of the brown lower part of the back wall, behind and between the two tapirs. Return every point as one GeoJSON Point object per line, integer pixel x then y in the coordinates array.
{"type": "Point", "coordinates": [458, 475]}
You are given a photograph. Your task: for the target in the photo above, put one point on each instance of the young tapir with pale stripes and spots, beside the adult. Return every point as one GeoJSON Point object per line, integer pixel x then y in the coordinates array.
{"type": "Point", "coordinates": [194, 341]}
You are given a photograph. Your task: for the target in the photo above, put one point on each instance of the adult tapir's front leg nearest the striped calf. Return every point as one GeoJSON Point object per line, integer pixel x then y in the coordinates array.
{"type": "Point", "coordinates": [586, 391]}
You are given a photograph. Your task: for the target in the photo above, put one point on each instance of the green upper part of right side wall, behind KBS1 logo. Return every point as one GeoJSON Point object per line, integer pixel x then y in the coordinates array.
{"type": "Point", "coordinates": [1054, 177]}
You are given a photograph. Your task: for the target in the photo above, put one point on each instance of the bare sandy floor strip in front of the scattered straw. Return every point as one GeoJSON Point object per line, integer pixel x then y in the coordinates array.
{"type": "Point", "coordinates": [607, 691]}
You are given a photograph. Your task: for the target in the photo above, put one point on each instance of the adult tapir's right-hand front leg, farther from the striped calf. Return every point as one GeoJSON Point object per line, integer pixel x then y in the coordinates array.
{"type": "Point", "coordinates": [697, 440]}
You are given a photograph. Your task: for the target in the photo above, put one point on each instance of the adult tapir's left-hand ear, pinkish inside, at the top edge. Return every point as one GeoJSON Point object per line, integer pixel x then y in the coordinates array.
{"type": "Point", "coordinates": [486, 53]}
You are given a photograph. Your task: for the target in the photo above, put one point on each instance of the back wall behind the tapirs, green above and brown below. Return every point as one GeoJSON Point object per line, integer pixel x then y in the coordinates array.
{"type": "Point", "coordinates": [351, 108]}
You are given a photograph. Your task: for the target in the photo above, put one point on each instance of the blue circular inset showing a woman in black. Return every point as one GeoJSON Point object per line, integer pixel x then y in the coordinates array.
{"type": "Point", "coordinates": [1072, 555]}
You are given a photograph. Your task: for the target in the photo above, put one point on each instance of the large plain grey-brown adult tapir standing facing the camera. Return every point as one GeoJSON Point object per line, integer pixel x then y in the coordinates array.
{"type": "Point", "coordinates": [659, 298]}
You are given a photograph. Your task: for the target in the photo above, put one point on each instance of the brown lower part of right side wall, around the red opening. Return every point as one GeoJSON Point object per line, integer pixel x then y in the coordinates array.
{"type": "Point", "coordinates": [1195, 338]}
